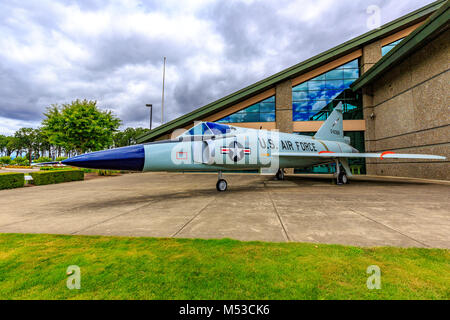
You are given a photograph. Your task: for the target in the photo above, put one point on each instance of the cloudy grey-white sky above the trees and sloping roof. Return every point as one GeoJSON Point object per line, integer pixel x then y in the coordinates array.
{"type": "Point", "coordinates": [112, 51]}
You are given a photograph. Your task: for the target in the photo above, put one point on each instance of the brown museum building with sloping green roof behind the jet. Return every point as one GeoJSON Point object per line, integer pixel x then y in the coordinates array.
{"type": "Point", "coordinates": [394, 85]}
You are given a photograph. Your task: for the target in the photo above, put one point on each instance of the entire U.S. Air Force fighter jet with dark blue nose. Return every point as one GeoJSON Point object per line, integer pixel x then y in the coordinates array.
{"type": "Point", "coordinates": [210, 146]}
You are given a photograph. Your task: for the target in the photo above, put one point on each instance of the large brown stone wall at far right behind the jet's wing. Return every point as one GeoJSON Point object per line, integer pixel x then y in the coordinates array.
{"type": "Point", "coordinates": [411, 104]}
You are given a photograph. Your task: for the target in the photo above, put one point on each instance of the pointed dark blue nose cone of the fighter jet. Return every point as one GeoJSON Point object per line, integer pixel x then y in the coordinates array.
{"type": "Point", "coordinates": [126, 158]}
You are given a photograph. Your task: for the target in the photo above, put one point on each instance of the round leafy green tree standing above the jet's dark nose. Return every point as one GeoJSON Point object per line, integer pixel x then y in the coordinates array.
{"type": "Point", "coordinates": [80, 126]}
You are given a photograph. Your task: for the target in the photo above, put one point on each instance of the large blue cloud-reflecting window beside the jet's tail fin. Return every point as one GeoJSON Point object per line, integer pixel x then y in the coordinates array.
{"type": "Point", "coordinates": [315, 99]}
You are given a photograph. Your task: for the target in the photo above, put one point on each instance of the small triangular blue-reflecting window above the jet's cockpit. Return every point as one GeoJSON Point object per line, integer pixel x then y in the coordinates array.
{"type": "Point", "coordinates": [263, 111]}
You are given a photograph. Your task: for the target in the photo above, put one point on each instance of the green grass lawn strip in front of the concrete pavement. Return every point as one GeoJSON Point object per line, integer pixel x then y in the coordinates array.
{"type": "Point", "coordinates": [34, 267]}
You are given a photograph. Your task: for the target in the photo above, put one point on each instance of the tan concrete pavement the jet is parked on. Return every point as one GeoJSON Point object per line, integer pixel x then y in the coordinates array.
{"type": "Point", "coordinates": [363, 213]}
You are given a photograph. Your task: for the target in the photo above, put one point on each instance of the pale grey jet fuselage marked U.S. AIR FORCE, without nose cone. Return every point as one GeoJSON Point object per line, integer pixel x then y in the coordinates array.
{"type": "Point", "coordinates": [250, 150]}
